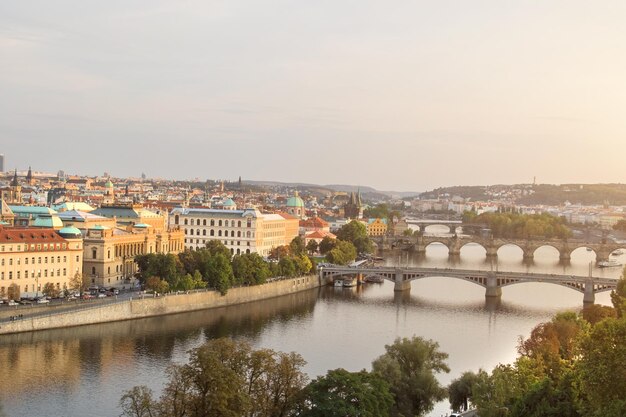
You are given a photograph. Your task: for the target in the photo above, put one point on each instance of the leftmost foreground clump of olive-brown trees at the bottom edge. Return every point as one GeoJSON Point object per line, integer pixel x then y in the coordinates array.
{"type": "Point", "coordinates": [224, 378]}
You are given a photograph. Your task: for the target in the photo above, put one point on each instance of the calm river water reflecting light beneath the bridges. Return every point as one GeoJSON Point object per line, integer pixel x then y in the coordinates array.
{"type": "Point", "coordinates": [83, 371]}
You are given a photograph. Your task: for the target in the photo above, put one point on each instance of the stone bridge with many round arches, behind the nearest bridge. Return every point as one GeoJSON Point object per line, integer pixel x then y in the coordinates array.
{"type": "Point", "coordinates": [454, 243]}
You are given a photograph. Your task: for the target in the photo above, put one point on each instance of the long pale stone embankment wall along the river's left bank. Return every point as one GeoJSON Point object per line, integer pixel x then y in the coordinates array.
{"type": "Point", "coordinates": [168, 304]}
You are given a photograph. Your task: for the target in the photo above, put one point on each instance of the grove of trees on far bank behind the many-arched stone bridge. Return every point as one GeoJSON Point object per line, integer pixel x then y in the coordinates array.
{"type": "Point", "coordinates": [521, 226]}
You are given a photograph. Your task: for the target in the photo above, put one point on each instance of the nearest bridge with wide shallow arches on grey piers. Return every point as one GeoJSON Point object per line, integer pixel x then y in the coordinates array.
{"type": "Point", "coordinates": [492, 281]}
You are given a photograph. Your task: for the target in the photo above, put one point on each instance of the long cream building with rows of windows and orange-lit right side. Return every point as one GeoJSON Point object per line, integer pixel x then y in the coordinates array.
{"type": "Point", "coordinates": [241, 231]}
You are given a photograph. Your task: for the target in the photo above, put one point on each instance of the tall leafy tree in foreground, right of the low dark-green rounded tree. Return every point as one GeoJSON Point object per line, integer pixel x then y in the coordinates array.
{"type": "Point", "coordinates": [409, 366]}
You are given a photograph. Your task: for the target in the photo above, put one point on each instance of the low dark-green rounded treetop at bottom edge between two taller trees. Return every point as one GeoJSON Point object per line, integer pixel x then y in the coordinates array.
{"type": "Point", "coordinates": [346, 394]}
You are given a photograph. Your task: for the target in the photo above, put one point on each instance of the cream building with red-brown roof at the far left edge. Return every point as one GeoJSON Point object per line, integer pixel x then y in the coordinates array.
{"type": "Point", "coordinates": [32, 257]}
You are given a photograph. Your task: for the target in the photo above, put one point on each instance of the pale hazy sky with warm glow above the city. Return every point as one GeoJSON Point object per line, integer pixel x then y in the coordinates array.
{"type": "Point", "coordinates": [402, 95]}
